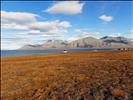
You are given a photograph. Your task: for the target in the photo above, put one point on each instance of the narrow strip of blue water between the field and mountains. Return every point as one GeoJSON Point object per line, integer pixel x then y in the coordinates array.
{"type": "Point", "coordinates": [34, 52]}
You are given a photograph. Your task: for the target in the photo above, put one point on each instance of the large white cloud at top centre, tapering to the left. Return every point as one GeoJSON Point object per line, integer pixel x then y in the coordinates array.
{"type": "Point", "coordinates": [66, 7]}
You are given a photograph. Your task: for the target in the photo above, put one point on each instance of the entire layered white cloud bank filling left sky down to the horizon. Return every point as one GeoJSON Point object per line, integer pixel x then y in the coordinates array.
{"type": "Point", "coordinates": [26, 27]}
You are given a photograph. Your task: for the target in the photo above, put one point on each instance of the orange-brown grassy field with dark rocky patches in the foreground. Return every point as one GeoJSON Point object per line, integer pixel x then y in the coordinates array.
{"type": "Point", "coordinates": [105, 75]}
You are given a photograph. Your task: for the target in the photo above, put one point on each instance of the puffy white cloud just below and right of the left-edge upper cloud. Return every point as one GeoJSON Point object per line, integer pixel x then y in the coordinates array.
{"type": "Point", "coordinates": [51, 27]}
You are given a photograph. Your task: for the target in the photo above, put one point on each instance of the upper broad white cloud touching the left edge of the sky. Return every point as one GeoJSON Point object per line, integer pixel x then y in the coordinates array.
{"type": "Point", "coordinates": [17, 20]}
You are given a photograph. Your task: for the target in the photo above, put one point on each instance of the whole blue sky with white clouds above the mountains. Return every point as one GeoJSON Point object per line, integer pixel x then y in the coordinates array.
{"type": "Point", "coordinates": [34, 22]}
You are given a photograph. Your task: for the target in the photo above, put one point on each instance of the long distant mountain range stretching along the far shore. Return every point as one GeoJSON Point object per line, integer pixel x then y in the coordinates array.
{"type": "Point", "coordinates": [88, 42]}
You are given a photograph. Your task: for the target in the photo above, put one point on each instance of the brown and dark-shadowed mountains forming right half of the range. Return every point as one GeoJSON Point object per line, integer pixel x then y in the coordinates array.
{"type": "Point", "coordinates": [104, 42]}
